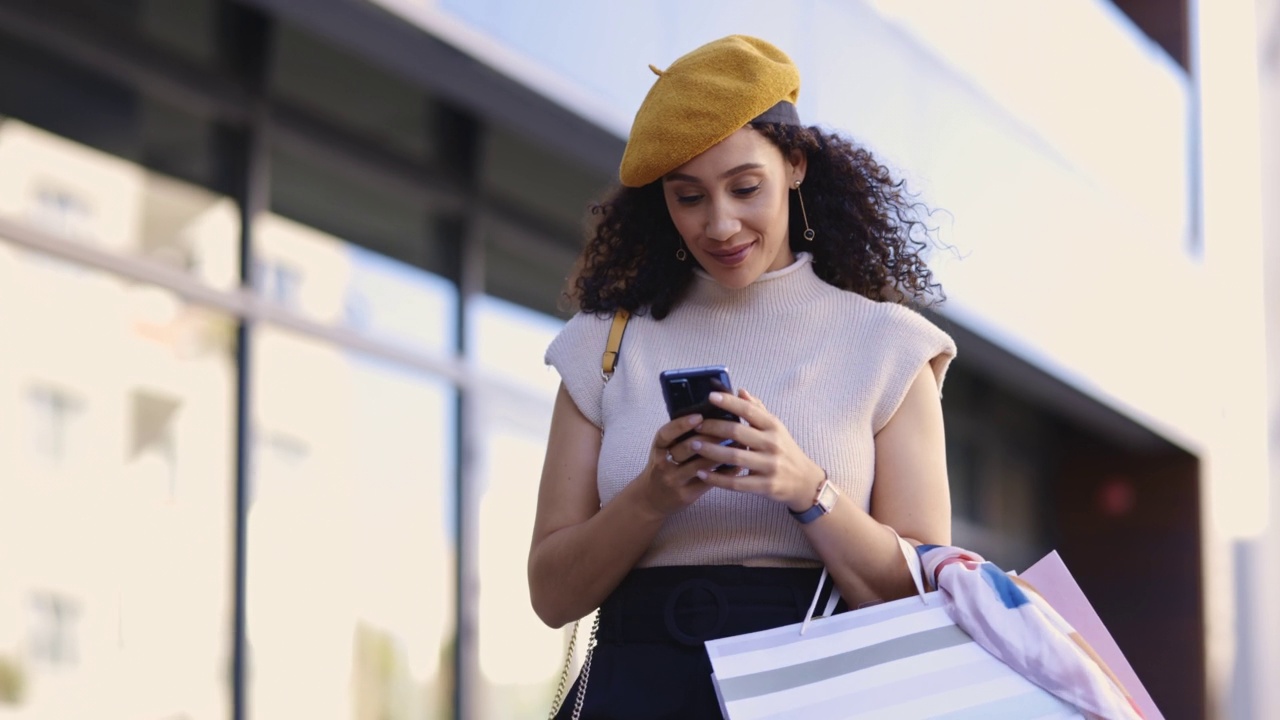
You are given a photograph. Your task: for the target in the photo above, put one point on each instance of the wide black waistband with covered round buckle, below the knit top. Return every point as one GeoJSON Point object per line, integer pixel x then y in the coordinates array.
{"type": "Point", "coordinates": [693, 604]}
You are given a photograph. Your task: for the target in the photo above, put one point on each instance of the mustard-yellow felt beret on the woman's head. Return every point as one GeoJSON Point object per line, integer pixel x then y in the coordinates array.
{"type": "Point", "coordinates": [702, 99]}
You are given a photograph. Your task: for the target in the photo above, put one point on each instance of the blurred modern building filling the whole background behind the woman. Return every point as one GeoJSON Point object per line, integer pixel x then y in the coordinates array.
{"type": "Point", "coordinates": [277, 277]}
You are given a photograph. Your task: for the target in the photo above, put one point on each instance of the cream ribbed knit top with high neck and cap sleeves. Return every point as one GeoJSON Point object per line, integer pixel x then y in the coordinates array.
{"type": "Point", "coordinates": [831, 364]}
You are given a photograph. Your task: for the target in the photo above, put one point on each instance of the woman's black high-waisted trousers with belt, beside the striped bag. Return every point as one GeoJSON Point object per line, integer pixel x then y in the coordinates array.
{"type": "Point", "coordinates": [650, 660]}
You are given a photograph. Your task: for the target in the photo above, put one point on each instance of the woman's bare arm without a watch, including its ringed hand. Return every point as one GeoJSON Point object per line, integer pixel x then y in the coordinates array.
{"type": "Point", "coordinates": [582, 552]}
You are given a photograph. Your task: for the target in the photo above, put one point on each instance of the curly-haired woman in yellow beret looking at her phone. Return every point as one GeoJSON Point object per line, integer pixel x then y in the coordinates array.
{"type": "Point", "coordinates": [711, 247]}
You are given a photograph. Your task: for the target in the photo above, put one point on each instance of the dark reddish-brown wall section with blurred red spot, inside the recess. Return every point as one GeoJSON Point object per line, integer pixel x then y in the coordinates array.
{"type": "Point", "coordinates": [1130, 528]}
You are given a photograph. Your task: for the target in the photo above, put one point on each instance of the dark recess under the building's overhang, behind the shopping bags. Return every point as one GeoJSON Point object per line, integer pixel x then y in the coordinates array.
{"type": "Point", "coordinates": [1039, 466]}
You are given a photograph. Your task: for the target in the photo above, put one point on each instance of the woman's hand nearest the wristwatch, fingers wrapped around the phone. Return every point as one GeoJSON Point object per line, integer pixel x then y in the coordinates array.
{"type": "Point", "coordinates": [775, 464]}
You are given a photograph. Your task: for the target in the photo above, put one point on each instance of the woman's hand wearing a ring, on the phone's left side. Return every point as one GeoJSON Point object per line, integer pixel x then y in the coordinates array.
{"type": "Point", "coordinates": [671, 479]}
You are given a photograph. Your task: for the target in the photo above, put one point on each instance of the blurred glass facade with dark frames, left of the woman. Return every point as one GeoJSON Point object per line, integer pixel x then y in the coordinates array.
{"type": "Point", "coordinates": [266, 452]}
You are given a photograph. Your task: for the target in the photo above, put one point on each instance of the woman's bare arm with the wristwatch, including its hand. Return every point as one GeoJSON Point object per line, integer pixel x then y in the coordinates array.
{"type": "Point", "coordinates": [911, 491]}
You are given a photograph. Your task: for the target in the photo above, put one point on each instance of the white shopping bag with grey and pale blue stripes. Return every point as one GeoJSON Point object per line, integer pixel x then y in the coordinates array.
{"type": "Point", "coordinates": [900, 660]}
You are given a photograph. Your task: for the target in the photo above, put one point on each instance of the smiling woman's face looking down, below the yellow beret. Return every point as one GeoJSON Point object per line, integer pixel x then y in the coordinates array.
{"type": "Point", "coordinates": [730, 207]}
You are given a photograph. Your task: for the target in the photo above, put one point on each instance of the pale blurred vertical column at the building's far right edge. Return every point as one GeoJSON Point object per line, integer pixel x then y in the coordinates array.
{"type": "Point", "coordinates": [1240, 522]}
